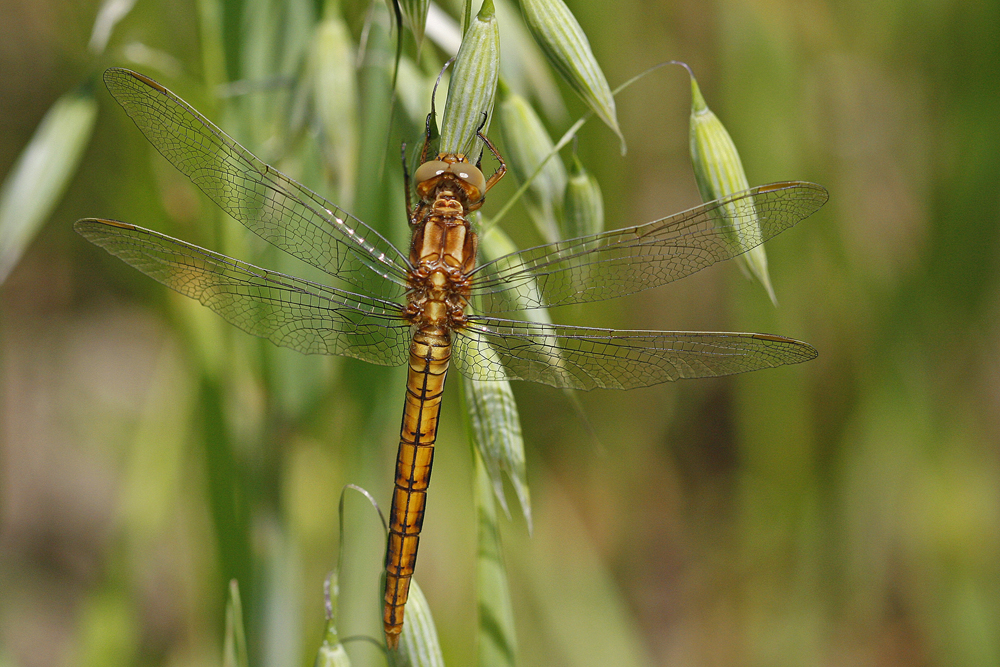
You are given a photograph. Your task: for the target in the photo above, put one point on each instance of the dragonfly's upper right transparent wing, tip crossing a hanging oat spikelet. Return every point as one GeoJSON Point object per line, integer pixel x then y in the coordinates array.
{"type": "Point", "coordinates": [624, 261]}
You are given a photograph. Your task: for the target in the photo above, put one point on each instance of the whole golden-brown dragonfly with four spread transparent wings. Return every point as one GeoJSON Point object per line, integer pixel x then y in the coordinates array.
{"type": "Point", "coordinates": [416, 308]}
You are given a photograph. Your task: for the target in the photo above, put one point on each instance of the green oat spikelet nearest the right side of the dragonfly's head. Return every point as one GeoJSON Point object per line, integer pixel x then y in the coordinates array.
{"type": "Point", "coordinates": [528, 146]}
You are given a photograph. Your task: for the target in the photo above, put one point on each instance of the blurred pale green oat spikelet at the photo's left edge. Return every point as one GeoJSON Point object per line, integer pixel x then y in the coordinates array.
{"type": "Point", "coordinates": [38, 179]}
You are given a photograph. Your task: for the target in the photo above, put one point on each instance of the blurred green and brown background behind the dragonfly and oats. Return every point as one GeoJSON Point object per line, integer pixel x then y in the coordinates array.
{"type": "Point", "coordinates": [842, 512]}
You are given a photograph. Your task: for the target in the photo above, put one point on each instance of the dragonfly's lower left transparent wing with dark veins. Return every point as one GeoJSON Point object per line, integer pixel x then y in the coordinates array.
{"type": "Point", "coordinates": [288, 311]}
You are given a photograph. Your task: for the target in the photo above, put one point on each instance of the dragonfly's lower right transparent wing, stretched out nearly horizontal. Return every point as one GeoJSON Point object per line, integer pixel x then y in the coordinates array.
{"type": "Point", "coordinates": [585, 358]}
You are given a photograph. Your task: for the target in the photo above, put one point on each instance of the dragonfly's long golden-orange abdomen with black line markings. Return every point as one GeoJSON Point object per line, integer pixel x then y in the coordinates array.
{"type": "Point", "coordinates": [430, 353]}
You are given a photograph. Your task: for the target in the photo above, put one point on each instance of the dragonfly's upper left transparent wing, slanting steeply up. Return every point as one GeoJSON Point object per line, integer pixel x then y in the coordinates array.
{"type": "Point", "coordinates": [270, 204]}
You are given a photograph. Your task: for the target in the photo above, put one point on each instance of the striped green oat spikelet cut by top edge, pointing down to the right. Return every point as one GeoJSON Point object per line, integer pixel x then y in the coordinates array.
{"type": "Point", "coordinates": [564, 43]}
